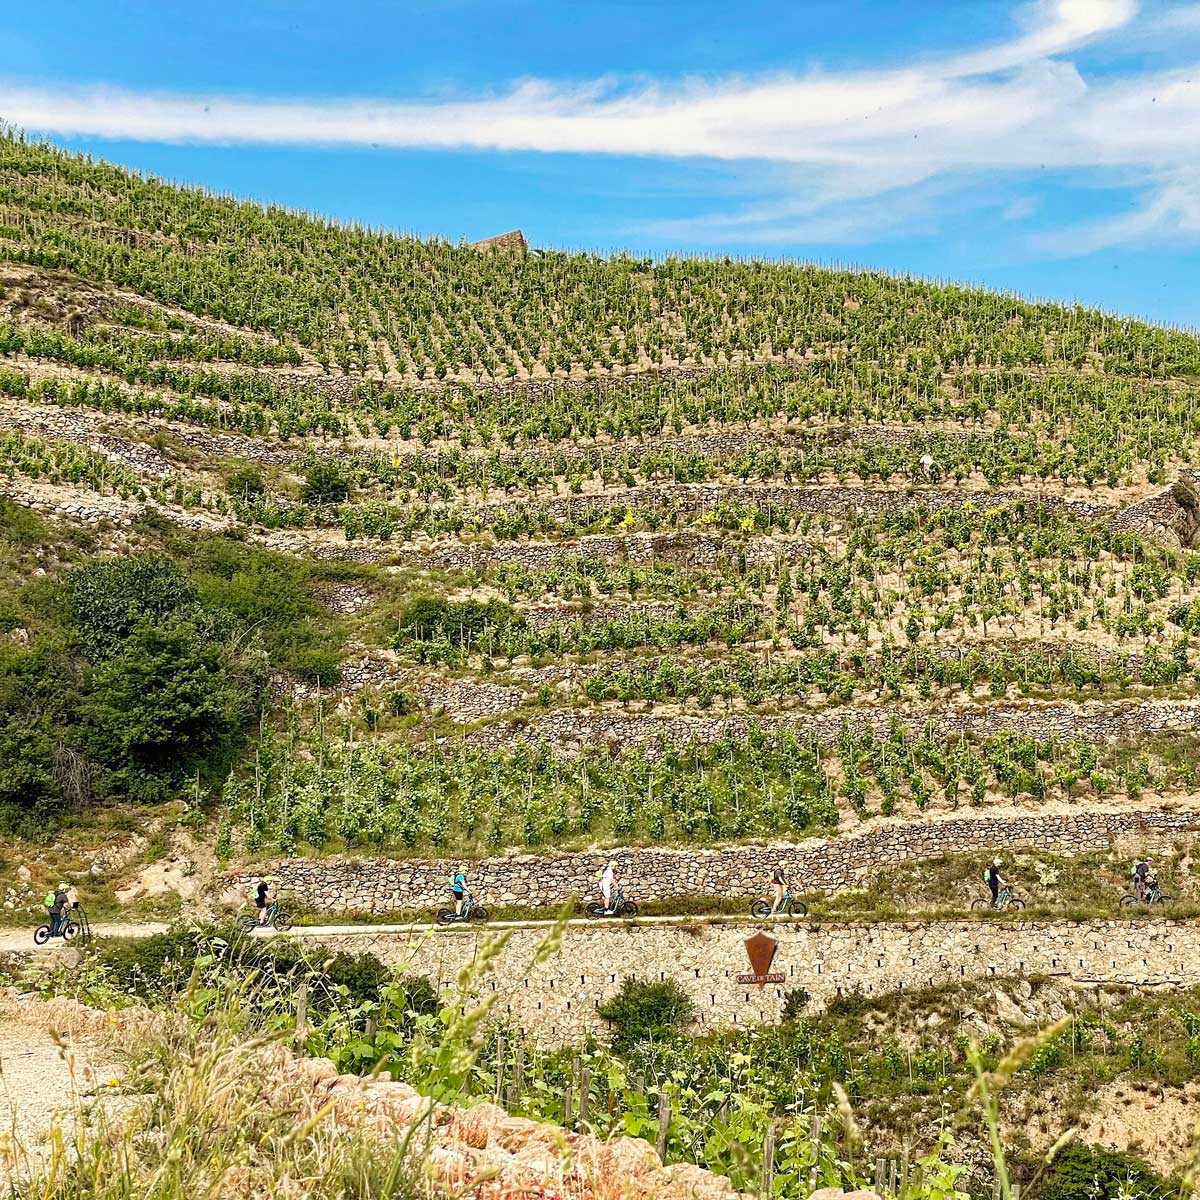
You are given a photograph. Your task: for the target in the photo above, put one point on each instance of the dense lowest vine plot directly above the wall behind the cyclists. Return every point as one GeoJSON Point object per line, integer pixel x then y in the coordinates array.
{"type": "Point", "coordinates": [313, 788]}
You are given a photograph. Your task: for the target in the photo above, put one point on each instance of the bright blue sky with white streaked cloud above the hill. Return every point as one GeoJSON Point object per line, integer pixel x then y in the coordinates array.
{"type": "Point", "coordinates": [1052, 148]}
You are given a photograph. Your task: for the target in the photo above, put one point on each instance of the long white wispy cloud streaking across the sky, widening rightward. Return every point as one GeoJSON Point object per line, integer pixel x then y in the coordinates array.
{"type": "Point", "coordinates": [863, 151]}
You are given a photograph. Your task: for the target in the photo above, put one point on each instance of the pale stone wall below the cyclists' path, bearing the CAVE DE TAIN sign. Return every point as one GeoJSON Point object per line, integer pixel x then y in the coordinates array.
{"type": "Point", "coordinates": [556, 1001]}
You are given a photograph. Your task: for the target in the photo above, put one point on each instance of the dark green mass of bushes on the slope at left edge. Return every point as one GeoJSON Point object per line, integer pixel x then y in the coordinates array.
{"type": "Point", "coordinates": [131, 673]}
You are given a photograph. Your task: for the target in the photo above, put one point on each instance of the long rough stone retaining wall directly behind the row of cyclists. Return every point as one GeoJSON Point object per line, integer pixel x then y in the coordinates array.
{"type": "Point", "coordinates": [545, 881]}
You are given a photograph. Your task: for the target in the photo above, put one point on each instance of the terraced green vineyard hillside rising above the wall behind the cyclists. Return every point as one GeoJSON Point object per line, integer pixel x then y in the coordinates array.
{"type": "Point", "coordinates": [476, 550]}
